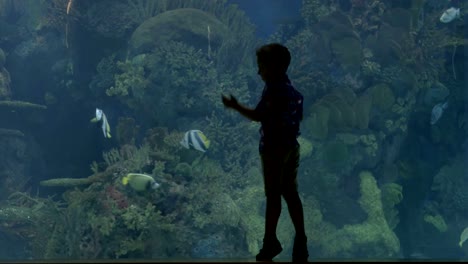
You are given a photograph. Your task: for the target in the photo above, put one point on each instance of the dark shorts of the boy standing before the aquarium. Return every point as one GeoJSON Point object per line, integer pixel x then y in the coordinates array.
{"type": "Point", "coordinates": [280, 169]}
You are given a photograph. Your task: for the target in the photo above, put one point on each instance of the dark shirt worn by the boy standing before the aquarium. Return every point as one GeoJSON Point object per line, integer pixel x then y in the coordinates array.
{"type": "Point", "coordinates": [280, 110]}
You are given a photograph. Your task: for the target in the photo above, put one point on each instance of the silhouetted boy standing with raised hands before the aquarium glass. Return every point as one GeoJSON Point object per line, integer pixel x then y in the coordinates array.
{"type": "Point", "coordinates": [280, 114]}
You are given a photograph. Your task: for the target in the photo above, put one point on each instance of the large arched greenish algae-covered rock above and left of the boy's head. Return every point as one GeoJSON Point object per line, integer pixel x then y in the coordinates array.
{"type": "Point", "coordinates": [188, 25]}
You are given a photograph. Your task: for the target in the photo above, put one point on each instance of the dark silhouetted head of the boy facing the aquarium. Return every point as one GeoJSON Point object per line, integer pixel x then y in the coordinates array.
{"type": "Point", "coordinates": [273, 61]}
